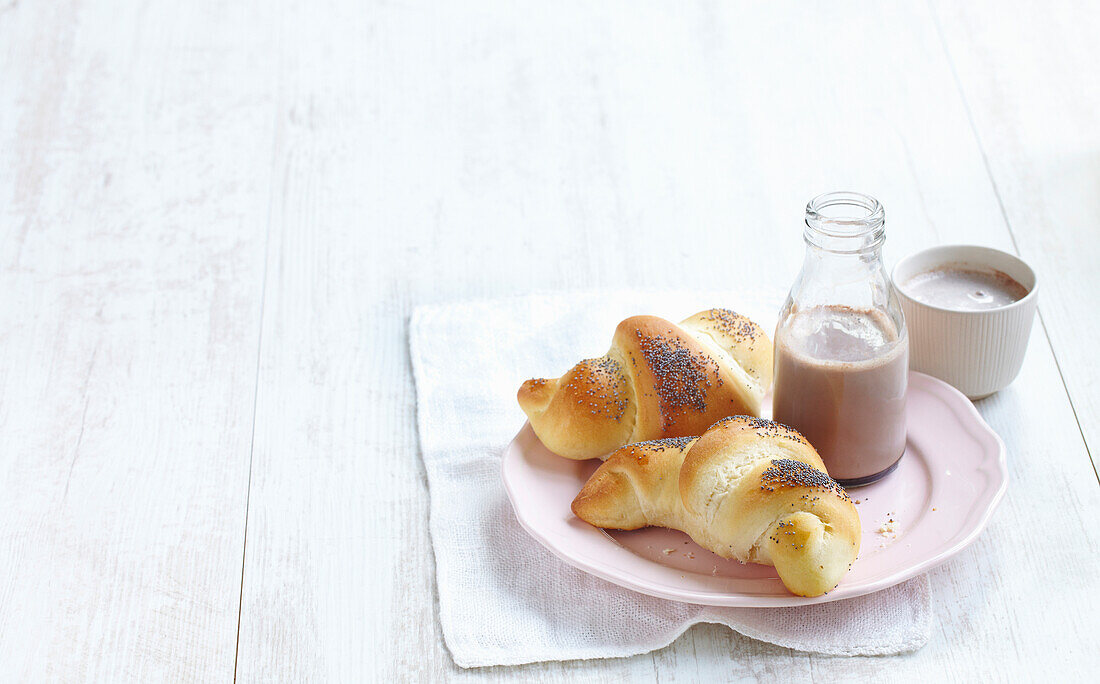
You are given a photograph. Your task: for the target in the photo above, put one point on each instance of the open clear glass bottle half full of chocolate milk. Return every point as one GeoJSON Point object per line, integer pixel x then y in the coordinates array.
{"type": "Point", "coordinates": [842, 351]}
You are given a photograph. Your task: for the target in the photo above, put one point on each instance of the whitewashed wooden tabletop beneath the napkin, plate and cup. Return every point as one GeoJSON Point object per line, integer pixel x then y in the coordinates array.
{"type": "Point", "coordinates": [216, 218]}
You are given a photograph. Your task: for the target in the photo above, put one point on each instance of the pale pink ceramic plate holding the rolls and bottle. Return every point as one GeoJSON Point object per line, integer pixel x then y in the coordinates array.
{"type": "Point", "coordinates": [941, 497]}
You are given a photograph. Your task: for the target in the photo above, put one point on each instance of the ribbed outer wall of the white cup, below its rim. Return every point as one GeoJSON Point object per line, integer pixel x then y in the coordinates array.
{"type": "Point", "coordinates": [978, 352]}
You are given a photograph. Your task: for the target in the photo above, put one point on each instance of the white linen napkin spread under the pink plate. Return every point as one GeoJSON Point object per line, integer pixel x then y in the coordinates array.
{"type": "Point", "coordinates": [503, 599]}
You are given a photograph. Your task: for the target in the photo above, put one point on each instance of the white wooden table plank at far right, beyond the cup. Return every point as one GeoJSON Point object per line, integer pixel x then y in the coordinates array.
{"type": "Point", "coordinates": [1031, 79]}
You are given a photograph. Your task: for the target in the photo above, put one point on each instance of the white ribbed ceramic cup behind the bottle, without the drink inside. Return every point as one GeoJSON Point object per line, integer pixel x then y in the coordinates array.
{"type": "Point", "coordinates": [978, 352]}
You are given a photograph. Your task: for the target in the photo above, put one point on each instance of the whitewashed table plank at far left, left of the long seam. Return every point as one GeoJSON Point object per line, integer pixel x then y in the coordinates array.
{"type": "Point", "coordinates": [135, 175]}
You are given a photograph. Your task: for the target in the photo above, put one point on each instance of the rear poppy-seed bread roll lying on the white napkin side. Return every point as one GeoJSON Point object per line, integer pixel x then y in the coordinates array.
{"type": "Point", "coordinates": [658, 380]}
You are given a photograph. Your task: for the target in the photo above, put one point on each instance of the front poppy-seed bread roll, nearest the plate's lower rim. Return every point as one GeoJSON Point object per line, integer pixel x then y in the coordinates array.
{"type": "Point", "coordinates": [749, 489]}
